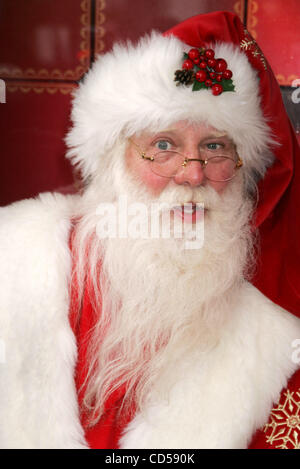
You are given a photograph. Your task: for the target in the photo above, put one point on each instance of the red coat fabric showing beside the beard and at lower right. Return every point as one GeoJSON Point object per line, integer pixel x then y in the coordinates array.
{"type": "Point", "coordinates": [281, 431]}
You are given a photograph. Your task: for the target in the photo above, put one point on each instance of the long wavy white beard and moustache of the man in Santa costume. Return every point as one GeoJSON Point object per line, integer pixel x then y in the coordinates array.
{"type": "Point", "coordinates": [160, 300]}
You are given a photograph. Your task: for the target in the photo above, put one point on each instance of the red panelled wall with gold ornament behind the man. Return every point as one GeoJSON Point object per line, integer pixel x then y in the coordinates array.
{"type": "Point", "coordinates": [47, 46]}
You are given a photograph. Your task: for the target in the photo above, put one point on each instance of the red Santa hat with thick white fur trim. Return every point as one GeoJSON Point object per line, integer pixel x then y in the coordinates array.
{"type": "Point", "coordinates": [132, 88]}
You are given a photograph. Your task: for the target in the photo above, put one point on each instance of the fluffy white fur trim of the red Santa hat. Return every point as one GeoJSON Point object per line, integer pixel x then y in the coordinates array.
{"type": "Point", "coordinates": [132, 89]}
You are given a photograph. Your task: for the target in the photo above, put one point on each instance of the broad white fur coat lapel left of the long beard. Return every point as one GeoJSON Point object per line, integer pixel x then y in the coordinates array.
{"type": "Point", "coordinates": [38, 401]}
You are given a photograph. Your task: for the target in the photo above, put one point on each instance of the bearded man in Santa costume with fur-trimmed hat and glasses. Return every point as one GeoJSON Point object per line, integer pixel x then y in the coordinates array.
{"type": "Point", "coordinates": [130, 316]}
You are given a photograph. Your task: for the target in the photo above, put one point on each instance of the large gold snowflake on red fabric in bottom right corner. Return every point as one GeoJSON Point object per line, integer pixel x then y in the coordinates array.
{"type": "Point", "coordinates": [284, 427]}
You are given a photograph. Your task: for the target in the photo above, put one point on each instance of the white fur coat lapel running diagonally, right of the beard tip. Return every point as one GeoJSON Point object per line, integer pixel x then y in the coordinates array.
{"type": "Point", "coordinates": [221, 398]}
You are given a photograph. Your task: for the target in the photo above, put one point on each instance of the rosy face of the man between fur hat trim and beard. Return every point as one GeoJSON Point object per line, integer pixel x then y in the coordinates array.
{"type": "Point", "coordinates": [191, 140]}
